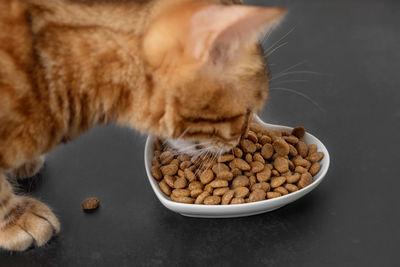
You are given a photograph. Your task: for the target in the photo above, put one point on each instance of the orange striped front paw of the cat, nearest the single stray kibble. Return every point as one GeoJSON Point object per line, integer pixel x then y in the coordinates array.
{"type": "Point", "coordinates": [24, 221]}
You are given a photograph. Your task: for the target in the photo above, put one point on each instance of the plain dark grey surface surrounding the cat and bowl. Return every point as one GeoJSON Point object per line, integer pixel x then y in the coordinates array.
{"type": "Point", "coordinates": [345, 91]}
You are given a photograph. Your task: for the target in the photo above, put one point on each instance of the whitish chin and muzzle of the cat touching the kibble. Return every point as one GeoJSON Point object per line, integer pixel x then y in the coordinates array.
{"type": "Point", "coordinates": [194, 148]}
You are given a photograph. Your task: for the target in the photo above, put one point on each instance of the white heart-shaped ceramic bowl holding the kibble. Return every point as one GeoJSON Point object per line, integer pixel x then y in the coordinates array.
{"type": "Point", "coordinates": [238, 210]}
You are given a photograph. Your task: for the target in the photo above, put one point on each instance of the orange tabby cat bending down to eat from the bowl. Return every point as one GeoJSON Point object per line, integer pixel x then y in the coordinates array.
{"type": "Point", "coordinates": [187, 70]}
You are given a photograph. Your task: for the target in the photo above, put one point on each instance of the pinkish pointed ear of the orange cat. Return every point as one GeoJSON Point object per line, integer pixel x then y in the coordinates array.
{"type": "Point", "coordinates": [217, 31]}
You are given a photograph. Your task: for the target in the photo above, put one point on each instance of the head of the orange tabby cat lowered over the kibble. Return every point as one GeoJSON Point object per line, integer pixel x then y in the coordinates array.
{"type": "Point", "coordinates": [208, 71]}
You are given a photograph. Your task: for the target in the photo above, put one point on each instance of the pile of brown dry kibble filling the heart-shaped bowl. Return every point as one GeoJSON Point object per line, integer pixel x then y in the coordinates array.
{"type": "Point", "coordinates": [266, 164]}
